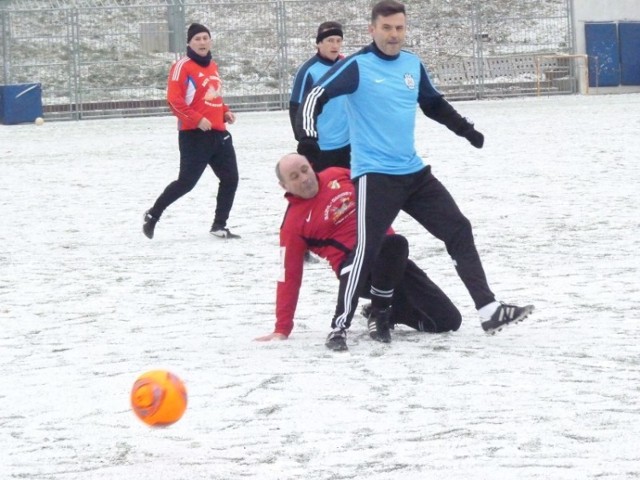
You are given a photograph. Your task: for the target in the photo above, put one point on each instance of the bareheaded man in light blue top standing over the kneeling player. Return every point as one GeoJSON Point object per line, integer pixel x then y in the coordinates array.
{"type": "Point", "coordinates": [383, 85]}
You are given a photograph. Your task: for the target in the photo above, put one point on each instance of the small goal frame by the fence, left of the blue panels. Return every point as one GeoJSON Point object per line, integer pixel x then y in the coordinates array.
{"type": "Point", "coordinates": [559, 69]}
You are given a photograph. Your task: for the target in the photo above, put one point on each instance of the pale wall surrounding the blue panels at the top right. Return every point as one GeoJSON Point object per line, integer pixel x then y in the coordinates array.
{"type": "Point", "coordinates": [602, 11]}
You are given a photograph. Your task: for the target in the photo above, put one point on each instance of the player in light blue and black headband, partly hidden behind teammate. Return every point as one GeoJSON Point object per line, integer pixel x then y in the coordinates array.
{"type": "Point", "coordinates": [334, 139]}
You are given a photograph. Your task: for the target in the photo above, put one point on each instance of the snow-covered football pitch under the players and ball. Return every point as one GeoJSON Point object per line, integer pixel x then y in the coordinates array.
{"type": "Point", "coordinates": [87, 303]}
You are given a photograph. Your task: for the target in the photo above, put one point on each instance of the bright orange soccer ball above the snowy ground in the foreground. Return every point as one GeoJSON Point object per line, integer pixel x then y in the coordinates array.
{"type": "Point", "coordinates": [159, 398]}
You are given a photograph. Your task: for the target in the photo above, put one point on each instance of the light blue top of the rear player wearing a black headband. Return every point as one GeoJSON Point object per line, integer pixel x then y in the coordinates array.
{"type": "Point", "coordinates": [332, 124]}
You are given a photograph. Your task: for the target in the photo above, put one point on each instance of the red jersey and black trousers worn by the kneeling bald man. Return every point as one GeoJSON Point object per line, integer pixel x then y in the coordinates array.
{"type": "Point", "coordinates": [326, 225]}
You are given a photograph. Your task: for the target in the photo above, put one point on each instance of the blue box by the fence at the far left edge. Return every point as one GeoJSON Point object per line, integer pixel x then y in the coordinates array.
{"type": "Point", "coordinates": [20, 103]}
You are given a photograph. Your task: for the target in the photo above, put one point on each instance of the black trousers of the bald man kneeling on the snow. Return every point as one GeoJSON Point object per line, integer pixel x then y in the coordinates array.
{"type": "Point", "coordinates": [416, 300]}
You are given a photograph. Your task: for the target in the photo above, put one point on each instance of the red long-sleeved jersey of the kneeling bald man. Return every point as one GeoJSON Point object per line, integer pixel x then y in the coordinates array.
{"type": "Point", "coordinates": [326, 225]}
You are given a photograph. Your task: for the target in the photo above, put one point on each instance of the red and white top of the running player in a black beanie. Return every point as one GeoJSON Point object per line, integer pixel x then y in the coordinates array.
{"type": "Point", "coordinates": [194, 92]}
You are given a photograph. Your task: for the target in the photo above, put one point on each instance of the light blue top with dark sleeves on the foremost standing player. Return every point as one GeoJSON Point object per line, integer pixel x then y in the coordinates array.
{"type": "Point", "coordinates": [382, 93]}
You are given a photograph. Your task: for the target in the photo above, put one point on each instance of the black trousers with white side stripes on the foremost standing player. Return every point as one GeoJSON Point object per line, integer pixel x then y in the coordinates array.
{"type": "Point", "coordinates": [379, 199]}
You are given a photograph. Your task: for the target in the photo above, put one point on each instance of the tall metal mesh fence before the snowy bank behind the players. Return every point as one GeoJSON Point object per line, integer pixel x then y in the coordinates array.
{"type": "Point", "coordinates": [111, 57]}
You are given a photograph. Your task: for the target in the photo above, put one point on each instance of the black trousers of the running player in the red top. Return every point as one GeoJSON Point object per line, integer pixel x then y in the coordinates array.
{"type": "Point", "coordinates": [197, 150]}
